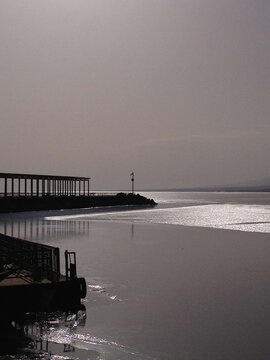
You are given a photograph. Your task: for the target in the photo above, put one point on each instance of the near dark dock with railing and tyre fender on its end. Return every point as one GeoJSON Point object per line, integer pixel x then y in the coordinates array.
{"type": "Point", "coordinates": [30, 278]}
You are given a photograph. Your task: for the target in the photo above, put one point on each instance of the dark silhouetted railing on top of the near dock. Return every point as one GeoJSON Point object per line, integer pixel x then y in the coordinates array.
{"type": "Point", "coordinates": [38, 260]}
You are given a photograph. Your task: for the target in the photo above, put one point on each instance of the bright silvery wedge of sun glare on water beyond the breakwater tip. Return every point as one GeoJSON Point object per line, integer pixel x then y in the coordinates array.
{"type": "Point", "coordinates": [253, 218]}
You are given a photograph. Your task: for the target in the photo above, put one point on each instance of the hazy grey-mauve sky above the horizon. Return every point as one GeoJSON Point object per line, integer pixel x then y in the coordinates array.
{"type": "Point", "coordinates": [177, 91]}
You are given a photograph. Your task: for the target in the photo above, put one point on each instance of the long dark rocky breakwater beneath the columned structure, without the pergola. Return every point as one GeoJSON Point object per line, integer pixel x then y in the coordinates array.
{"type": "Point", "coordinates": [25, 203]}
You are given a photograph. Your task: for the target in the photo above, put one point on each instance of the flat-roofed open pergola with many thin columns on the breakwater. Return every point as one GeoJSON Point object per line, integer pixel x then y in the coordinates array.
{"type": "Point", "coordinates": [30, 185]}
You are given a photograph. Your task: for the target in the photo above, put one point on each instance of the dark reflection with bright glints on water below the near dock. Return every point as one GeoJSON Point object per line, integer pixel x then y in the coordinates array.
{"type": "Point", "coordinates": [59, 335]}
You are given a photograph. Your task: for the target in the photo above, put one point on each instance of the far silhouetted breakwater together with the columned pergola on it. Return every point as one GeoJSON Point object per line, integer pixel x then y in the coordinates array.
{"type": "Point", "coordinates": [28, 192]}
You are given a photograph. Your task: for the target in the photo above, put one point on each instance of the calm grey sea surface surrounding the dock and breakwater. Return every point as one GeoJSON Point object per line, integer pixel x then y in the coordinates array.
{"type": "Point", "coordinates": [158, 289]}
